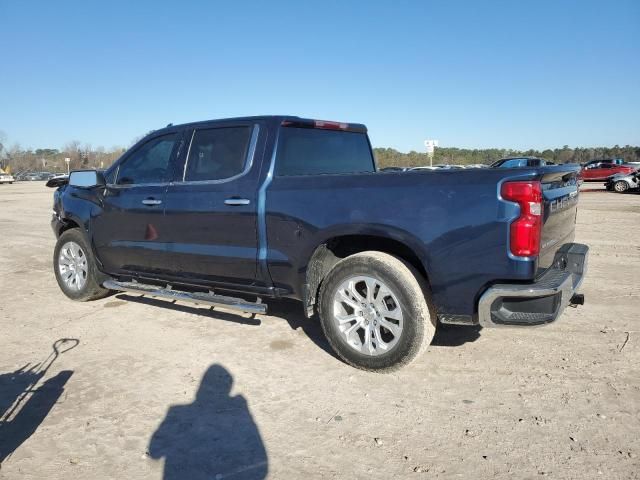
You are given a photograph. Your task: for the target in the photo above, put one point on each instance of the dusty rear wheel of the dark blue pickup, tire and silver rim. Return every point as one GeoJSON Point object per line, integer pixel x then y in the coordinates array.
{"type": "Point", "coordinates": [399, 297]}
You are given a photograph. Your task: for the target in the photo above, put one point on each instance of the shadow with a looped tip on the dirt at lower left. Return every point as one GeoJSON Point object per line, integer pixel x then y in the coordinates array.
{"type": "Point", "coordinates": [23, 405]}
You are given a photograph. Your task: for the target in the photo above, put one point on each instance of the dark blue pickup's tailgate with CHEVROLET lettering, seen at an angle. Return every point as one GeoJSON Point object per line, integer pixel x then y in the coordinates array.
{"type": "Point", "coordinates": [560, 193]}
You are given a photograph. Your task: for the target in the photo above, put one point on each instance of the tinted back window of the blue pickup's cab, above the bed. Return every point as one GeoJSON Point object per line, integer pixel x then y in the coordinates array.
{"type": "Point", "coordinates": [312, 151]}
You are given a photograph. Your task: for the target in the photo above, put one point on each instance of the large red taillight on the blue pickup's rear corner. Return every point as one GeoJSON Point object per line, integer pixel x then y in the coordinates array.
{"type": "Point", "coordinates": [525, 231]}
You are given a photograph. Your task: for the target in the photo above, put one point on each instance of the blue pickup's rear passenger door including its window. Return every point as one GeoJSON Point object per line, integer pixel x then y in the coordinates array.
{"type": "Point", "coordinates": [212, 205]}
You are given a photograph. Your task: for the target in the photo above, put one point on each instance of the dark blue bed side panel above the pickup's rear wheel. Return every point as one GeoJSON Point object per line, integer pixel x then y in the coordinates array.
{"type": "Point", "coordinates": [452, 220]}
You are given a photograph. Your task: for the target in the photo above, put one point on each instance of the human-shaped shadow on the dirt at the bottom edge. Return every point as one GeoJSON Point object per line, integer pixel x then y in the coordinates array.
{"type": "Point", "coordinates": [214, 437]}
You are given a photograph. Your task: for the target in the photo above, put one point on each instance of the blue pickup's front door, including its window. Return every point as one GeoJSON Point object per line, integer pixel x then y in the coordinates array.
{"type": "Point", "coordinates": [129, 233]}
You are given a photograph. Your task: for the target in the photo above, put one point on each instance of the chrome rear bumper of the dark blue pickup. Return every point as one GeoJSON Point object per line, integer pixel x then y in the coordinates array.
{"type": "Point", "coordinates": [537, 303]}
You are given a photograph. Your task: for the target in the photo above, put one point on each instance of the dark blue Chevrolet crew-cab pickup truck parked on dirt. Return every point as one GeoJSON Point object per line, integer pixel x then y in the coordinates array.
{"type": "Point", "coordinates": [234, 212]}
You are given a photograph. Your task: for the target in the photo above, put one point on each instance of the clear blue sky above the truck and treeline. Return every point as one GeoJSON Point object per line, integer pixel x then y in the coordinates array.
{"type": "Point", "coordinates": [470, 73]}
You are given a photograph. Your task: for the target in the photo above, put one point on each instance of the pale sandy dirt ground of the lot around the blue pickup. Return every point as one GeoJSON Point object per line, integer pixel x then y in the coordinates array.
{"type": "Point", "coordinates": [147, 389]}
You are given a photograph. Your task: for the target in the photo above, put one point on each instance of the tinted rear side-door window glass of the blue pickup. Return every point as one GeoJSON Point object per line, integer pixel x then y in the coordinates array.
{"type": "Point", "coordinates": [217, 153]}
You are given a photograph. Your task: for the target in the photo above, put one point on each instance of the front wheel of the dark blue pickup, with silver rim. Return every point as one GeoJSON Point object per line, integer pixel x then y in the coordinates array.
{"type": "Point", "coordinates": [75, 268]}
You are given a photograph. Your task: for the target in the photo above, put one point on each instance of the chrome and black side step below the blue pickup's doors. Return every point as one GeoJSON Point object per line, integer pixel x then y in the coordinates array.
{"type": "Point", "coordinates": [199, 298]}
